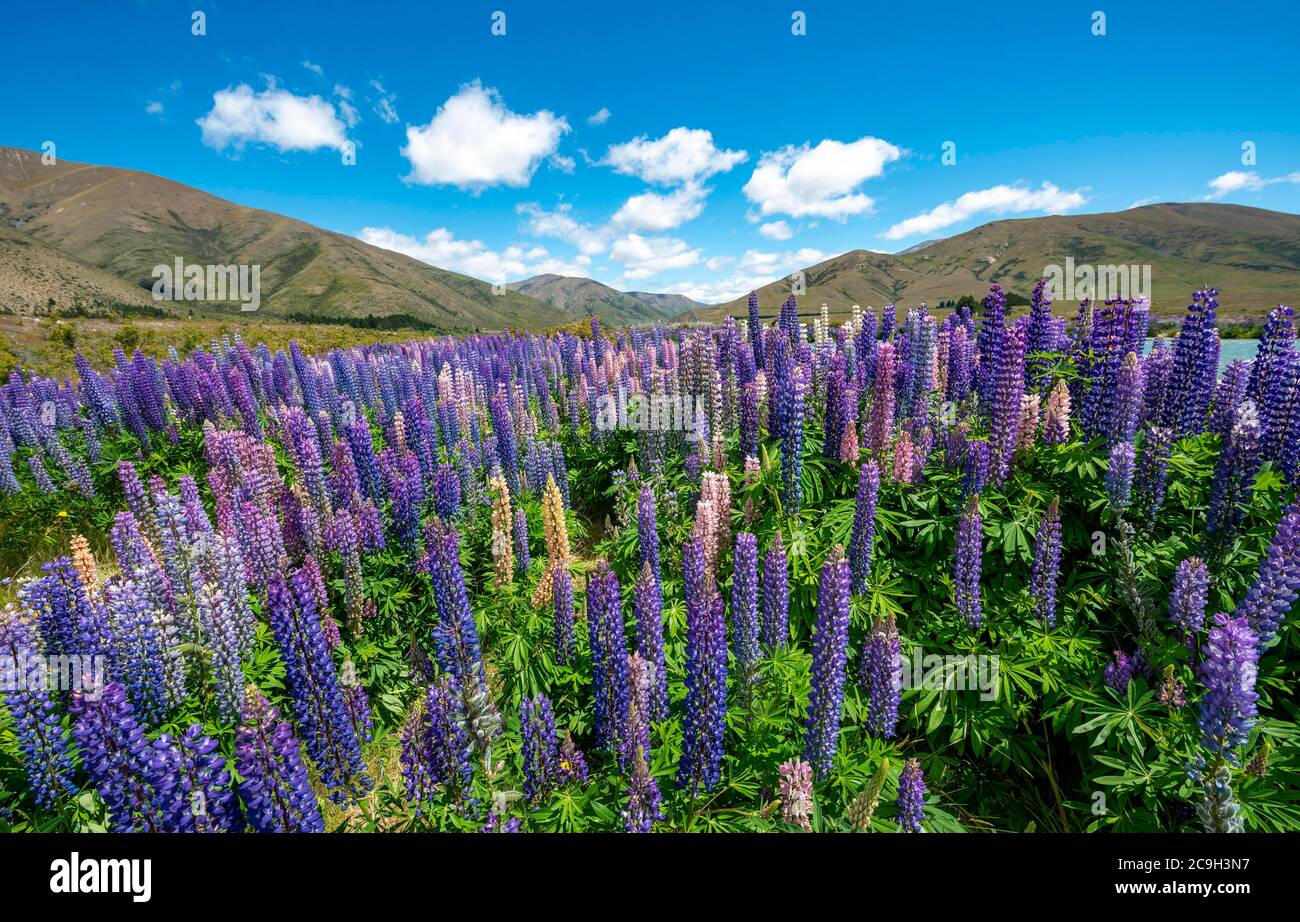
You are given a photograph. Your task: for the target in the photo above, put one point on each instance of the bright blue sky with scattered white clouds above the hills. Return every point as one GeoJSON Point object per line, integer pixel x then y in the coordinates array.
{"type": "Point", "coordinates": [666, 146]}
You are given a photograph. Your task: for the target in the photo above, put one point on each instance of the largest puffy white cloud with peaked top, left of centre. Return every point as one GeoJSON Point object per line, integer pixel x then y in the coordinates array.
{"type": "Point", "coordinates": [475, 142]}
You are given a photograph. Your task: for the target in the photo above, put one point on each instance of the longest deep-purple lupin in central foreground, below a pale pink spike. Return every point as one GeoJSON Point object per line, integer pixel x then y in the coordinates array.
{"type": "Point", "coordinates": [705, 718]}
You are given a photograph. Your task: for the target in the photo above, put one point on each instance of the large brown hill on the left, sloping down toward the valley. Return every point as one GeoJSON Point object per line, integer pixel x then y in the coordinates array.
{"type": "Point", "coordinates": [125, 223]}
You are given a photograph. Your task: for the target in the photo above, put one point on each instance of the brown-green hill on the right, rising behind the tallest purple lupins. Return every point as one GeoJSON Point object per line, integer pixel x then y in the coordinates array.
{"type": "Point", "coordinates": [1250, 254]}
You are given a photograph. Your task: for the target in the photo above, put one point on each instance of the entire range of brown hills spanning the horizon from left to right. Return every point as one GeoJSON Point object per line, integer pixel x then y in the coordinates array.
{"type": "Point", "coordinates": [85, 239]}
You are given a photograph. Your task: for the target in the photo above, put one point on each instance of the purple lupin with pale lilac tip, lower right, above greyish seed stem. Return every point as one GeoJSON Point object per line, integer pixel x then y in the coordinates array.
{"type": "Point", "coordinates": [1229, 672]}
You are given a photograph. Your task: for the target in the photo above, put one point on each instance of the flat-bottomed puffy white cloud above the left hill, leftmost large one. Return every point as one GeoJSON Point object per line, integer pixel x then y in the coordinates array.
{"type": "Point", "coordinates": [276, 118]}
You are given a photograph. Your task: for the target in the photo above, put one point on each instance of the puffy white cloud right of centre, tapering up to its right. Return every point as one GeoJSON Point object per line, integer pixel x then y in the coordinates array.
{"type": "Point", "coordinates": [820, 181]}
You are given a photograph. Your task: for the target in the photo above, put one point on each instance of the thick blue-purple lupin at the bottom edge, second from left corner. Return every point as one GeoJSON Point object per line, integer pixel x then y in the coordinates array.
{"type": "Point", "coordinates": [115, 754]}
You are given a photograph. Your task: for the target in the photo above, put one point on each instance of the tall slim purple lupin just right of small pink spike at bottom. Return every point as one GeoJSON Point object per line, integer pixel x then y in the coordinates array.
{"type": "Point", "coordinates": [830, 655]}
